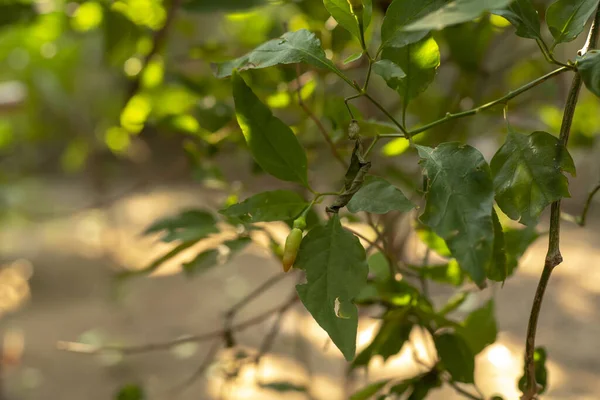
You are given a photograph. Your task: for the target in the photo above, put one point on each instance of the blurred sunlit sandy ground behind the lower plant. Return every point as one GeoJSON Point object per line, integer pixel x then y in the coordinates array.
{"type": "Point", "coordinates": [66, 293]}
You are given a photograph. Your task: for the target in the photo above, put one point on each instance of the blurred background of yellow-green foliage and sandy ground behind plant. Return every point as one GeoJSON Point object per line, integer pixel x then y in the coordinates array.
{"type": "Point", "coordinates": [111, 117]}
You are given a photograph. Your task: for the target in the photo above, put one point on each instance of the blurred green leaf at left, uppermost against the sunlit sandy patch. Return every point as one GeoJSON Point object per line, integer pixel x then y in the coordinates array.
{"type": "Point", "coordinates": [189, 225]}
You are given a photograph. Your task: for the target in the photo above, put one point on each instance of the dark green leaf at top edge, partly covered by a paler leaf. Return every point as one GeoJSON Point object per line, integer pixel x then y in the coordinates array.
{"type": "Point", "coordinates": [402, 13]}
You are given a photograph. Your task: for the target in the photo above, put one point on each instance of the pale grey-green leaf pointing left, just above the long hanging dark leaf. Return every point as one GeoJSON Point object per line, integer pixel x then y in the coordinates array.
{"type": "Point", "coordinates": [301, 46]}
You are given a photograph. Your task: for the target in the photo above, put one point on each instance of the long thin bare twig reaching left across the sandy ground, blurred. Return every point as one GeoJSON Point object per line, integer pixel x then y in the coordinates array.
{"type": "Point", "coordinates": [83, 348]}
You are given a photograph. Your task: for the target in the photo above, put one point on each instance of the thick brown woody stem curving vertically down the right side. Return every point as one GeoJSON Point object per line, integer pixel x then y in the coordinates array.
{"type": "Point", "coordinates": [553, 257]}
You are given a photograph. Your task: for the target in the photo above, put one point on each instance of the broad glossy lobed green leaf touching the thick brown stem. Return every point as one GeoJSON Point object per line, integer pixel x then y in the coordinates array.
{"type": "Point", "coordinates": [528, 175]}
